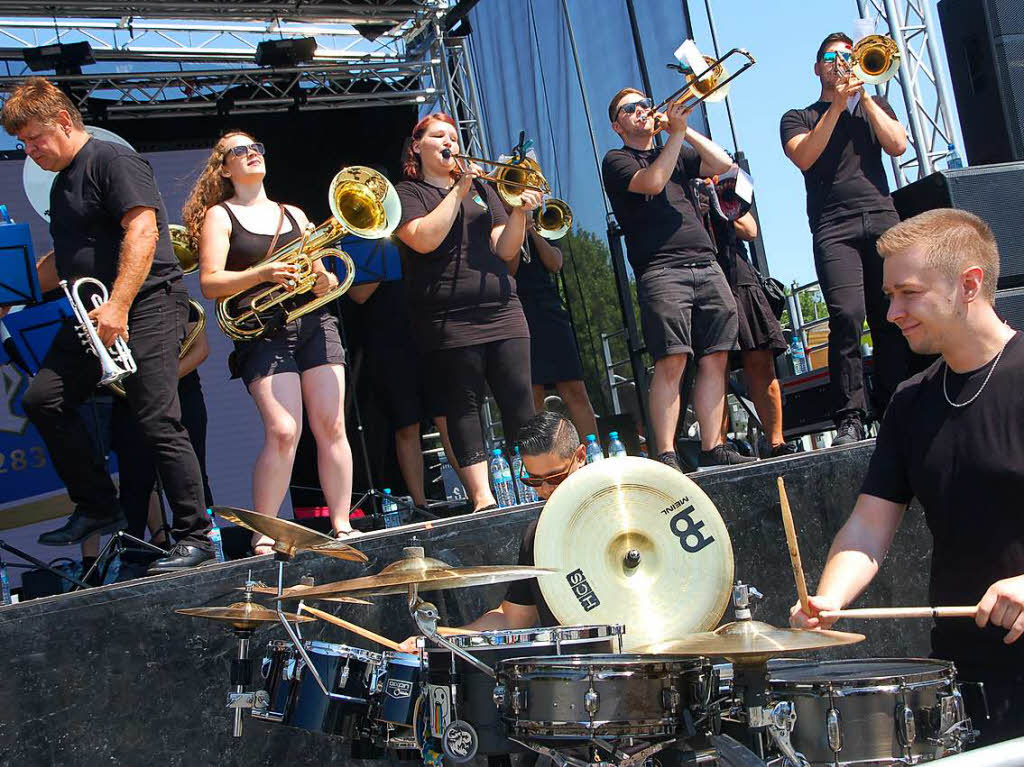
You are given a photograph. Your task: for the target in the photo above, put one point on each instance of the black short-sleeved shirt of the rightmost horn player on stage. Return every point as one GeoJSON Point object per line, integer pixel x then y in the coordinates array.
{"type": "Point", "coordinates": [849, 177]}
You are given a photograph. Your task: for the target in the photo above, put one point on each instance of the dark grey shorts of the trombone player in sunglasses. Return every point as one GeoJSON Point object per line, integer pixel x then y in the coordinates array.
{"type": "Point", "coordinates": [688, 311]}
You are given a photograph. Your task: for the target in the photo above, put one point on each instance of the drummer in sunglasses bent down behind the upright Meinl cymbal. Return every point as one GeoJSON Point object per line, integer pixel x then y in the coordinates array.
{"type": "Point", "coordinates": [551, 451]}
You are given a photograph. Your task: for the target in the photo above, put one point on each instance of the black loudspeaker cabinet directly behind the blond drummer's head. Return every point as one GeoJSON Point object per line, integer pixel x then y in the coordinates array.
{"type": "Point", "coordinates": [993, 193]}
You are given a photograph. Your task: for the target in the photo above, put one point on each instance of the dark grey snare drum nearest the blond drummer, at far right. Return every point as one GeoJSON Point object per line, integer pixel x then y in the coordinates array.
{"type": "Point", "coordinates": [876, 711]}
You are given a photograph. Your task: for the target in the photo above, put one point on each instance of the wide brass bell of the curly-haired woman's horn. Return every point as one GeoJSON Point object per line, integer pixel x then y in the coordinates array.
{"type": "Point", "coordinates": [365, 202]}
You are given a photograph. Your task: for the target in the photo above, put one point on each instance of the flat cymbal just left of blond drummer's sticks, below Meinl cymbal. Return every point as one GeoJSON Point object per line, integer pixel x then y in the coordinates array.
{"type": "Point", "coordinates": [751, 642]}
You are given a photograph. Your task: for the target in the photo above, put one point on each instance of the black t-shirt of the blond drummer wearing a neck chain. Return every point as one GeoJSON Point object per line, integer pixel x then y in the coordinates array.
{"type": "Point", "coordinates": [966, 466]}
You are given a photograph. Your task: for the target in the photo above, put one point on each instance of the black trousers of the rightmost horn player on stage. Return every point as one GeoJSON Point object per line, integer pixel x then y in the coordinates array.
{"type": "Point", "coordinates": [850, 273]}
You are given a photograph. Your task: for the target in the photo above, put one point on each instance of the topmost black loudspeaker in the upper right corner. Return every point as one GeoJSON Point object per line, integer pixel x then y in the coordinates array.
{"type": "Point", "coordinates": [986, 51]}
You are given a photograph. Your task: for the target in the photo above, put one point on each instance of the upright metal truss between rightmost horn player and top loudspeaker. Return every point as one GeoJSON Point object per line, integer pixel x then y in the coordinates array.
{"type": "Point", "coordinates": [923, 82]}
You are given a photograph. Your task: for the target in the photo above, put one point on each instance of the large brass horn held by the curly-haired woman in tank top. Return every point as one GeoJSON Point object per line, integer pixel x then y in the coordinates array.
{"type": "Point", "coordinates": [363, 203]}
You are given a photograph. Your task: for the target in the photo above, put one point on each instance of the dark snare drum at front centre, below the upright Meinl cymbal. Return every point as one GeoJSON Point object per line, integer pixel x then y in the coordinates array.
{"type": "Point", "coordinates": [579, 698]}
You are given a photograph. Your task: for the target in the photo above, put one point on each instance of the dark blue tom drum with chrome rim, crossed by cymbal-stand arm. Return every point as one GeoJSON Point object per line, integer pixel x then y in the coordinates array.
{"type": "Point", "coordinates": [349, 672]}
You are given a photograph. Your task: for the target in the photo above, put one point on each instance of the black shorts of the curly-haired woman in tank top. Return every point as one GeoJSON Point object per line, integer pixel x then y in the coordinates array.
{"type": "Point", "coordinates": [311, 342]}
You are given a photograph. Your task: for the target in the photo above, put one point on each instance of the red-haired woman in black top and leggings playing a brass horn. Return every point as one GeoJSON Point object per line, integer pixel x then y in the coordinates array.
{"type": "Point", "coordinates": [466, 316]}
